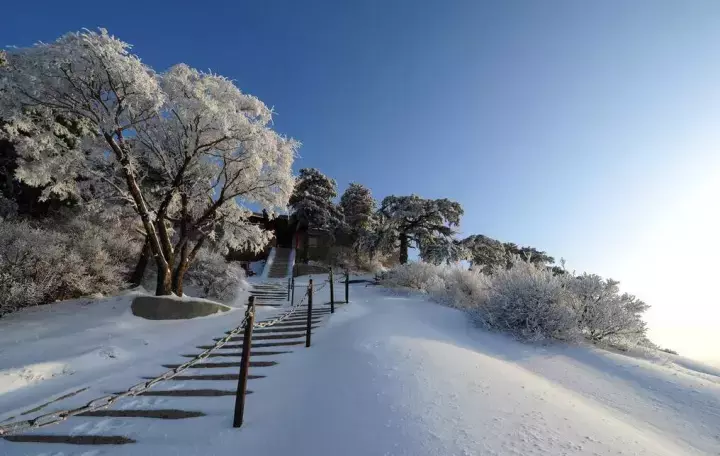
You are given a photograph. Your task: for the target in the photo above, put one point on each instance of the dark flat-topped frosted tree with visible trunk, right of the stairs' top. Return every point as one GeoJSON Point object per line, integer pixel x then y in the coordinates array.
{"type": "Point", "coordinates": [411, 221]}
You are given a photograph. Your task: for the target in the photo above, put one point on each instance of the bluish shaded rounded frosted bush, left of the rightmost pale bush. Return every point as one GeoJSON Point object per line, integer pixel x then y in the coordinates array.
{"type": "Point", "coordinates": [529, 302]}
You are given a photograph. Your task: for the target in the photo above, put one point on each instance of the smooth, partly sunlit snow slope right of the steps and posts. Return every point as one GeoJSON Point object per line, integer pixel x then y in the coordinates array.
{"type": "Point", "coordinates": [402, 376]}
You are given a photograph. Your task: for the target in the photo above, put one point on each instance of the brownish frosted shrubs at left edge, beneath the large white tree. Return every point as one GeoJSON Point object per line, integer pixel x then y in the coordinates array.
{"type": "Point", "coordinates": [42, 263]}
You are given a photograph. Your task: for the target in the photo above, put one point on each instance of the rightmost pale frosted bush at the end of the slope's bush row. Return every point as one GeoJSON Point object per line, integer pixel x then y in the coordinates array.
{"type": "Point", "coordinates": [603, 312]}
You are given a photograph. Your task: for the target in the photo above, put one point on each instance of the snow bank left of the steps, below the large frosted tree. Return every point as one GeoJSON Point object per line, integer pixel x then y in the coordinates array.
{"type": "Point", "coordinates": [49, 351]}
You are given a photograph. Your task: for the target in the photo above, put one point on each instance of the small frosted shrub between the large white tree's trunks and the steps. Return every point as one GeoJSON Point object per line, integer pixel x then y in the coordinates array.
{"type": "Point", "coordinates": [214, 276]}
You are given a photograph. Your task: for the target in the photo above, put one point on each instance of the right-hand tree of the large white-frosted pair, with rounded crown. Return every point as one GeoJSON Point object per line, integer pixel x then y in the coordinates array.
{"type": "Point", "coordinates": [215, 141]}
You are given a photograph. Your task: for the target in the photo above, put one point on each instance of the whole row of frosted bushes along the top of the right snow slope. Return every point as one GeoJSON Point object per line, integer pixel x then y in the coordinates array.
{"type": "Point", "coordinates": [532, 302]}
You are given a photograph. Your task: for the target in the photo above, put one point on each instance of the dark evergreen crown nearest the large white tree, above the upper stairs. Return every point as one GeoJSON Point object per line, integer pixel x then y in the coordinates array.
{"type": "Point", "coordinates": [312, 201]}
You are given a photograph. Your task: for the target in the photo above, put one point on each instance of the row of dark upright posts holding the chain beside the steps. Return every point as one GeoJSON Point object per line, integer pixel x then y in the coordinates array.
{"type": "Point", "coordinates": [247, 336]}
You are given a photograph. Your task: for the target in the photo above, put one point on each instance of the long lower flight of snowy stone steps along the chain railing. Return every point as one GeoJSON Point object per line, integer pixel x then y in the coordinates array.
{"type": "Point", "coordinates": [166, 399]}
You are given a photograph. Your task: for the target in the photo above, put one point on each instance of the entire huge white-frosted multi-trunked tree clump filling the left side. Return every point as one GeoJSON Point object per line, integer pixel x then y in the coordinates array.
{"type": "Point", "coordinates": [209, 143]}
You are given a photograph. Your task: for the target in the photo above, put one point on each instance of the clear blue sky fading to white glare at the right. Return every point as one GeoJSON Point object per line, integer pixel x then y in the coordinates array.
{"type": "Point", "coordinates": [586, 129]}
